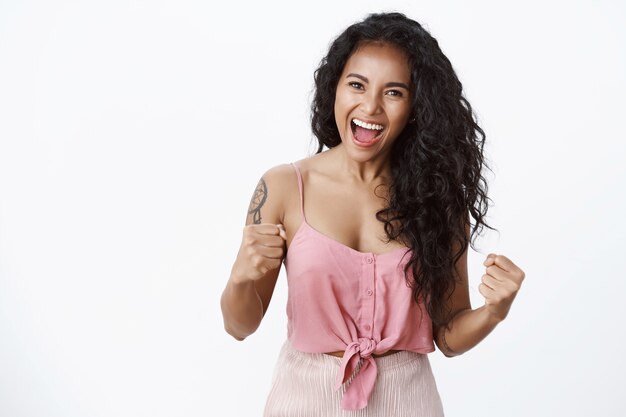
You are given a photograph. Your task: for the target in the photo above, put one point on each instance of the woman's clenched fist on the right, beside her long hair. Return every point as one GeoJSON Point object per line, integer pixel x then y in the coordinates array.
{"type": "Point", "coordinates": [500, 285]}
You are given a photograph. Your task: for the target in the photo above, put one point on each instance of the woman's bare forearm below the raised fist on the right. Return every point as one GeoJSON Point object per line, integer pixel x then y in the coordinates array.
{"type": "Point", "coordinates": [467, 329]}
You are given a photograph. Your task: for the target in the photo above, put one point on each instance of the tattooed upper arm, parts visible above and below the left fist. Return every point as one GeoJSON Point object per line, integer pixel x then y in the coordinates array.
{"type": "Point", "coordinates": [267, 206]}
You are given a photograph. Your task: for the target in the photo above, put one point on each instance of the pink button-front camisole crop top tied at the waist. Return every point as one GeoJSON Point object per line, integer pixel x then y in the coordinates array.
{"type": "Point", "coordinates": [341, 299]}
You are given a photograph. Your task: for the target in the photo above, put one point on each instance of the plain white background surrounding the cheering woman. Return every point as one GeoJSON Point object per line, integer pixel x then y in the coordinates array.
{"type": "Point", "coordinates": [133, 133]}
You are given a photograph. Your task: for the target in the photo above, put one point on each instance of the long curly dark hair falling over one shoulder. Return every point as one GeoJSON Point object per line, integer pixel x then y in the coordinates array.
{"type": "Point", "coordinates": [436, 161]}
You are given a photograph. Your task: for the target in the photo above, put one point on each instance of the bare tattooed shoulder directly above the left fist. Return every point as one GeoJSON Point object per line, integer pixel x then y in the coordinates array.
{"type": "Point", "coordinates": [271, 195]}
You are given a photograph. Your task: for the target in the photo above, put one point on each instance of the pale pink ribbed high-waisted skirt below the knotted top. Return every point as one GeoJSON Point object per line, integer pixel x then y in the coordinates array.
{"type": "Point", "coordinates": [302, 386]}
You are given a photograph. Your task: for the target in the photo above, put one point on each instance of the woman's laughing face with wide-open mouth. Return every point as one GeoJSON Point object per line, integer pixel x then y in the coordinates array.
{"type": "Point", "coordinates": [373, 103]}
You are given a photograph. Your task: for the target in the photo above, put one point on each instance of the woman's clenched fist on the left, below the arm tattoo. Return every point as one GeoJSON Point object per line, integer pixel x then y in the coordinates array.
{"type": "Point", "coordinates": [262, 249]}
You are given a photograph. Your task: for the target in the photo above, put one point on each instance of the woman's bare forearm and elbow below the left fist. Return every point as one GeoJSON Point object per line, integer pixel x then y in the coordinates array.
{"type": "Point", "coordinates": [242, 308]}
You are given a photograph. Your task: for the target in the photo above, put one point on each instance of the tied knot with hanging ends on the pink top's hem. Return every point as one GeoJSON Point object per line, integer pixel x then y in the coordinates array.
{"type": "Point", "coordinates": [362, 384]}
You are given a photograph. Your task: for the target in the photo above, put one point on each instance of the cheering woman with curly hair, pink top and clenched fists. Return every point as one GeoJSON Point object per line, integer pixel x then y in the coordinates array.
{"type": "Point", "coordinates": [373, 233]}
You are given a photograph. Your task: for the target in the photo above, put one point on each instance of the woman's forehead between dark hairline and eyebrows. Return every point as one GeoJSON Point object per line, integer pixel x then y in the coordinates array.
{"type": "Point", "coordinates": [380, 60]}
